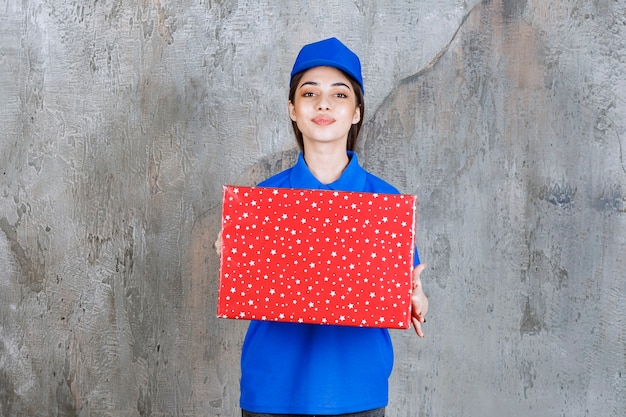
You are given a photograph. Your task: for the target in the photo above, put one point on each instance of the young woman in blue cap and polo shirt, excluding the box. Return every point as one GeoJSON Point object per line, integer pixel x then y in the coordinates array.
{"type": "Point", "coordinates": [305, 369]}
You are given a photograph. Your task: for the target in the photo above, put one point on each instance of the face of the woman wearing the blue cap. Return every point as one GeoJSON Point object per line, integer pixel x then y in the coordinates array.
{"type": "Point", "coordinates": [324, 106]}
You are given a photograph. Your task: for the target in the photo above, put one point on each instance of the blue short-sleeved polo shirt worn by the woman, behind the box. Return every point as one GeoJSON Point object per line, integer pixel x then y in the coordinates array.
{"type": "Point", "coordinates": [293, 368]}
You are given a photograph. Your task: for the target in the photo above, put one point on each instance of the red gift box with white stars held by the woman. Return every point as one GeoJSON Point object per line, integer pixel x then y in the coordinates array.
{"type": "Point", "coordinates": [317, 256]}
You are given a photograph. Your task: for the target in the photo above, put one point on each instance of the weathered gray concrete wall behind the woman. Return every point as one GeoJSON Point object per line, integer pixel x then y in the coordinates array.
{"type": "Point", "coordinates": [121, 120]}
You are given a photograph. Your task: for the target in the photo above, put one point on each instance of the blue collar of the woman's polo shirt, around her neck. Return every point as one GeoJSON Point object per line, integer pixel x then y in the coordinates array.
{"type": "Point", "coordinates": [352, 179]}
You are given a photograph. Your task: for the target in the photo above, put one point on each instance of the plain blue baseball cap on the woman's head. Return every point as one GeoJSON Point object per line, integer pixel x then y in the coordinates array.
{"type": "Point", "coordinates": [329, 53]}
